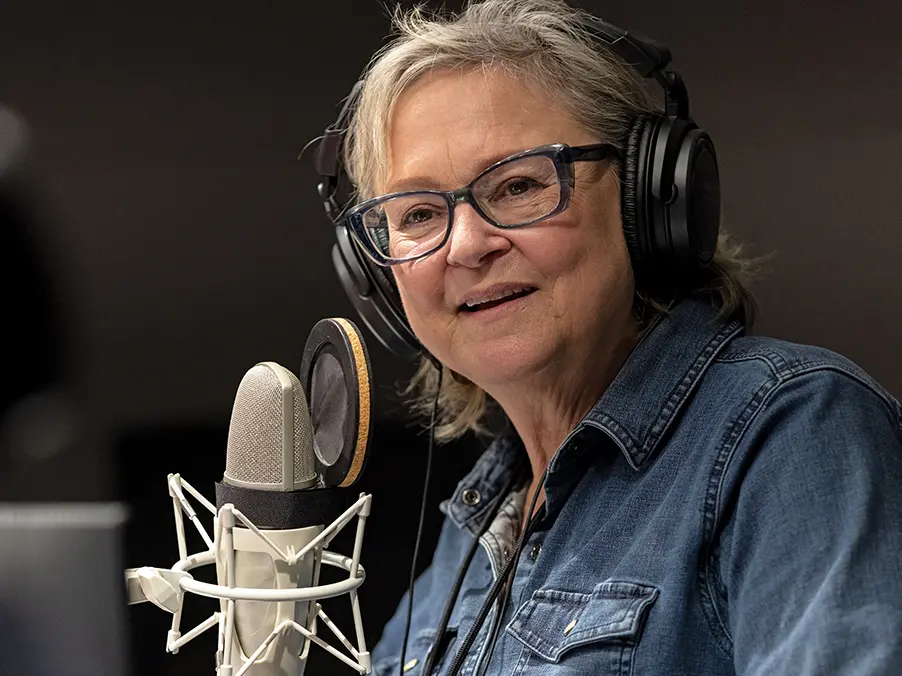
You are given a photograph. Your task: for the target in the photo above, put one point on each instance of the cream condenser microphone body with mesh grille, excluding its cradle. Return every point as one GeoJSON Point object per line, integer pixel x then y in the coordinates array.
{"type": "Point", "coordinates": [269, 459]}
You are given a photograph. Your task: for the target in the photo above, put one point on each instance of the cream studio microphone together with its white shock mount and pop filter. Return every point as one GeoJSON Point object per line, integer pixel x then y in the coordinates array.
{"type": "Point", "coordinates": [279, 506]}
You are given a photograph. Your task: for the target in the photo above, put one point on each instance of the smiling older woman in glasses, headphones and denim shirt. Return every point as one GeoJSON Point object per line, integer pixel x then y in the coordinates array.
{"type": "Point", "coordinates": [670, 495]}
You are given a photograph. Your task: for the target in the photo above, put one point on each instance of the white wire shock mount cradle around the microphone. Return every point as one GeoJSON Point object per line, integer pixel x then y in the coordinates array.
{"type": "Point", "coordinates": [166, 587]}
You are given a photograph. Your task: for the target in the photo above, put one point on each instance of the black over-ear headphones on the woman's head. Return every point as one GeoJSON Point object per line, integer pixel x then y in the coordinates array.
{"type": "Point", "coordinates": [670, 197]}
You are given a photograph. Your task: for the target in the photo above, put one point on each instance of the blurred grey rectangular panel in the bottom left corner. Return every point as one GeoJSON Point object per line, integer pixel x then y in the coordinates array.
{"type": "Point", "coordinates": [62, 601]}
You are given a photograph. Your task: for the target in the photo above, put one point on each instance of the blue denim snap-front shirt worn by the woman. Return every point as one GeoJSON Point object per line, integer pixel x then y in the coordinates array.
{"type": "Point", "coordinates": [730, 505]}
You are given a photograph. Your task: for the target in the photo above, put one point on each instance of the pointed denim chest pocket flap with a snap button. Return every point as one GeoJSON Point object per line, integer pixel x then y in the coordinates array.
{"type": "Point", "coordinates": [552, 622]}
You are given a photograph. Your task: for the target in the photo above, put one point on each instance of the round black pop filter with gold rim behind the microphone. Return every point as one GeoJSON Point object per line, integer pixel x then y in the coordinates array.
{"type": "Point", "coordinates": [339, 340]}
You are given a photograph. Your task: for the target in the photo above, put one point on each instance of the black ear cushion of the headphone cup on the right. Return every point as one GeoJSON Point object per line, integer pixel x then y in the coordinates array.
{"type": "Point", "coordinates": [633, 193]}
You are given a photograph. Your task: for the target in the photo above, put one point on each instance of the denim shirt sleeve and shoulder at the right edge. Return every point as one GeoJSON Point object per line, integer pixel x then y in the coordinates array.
{"type": "Point", "coordinates": [808, 507]}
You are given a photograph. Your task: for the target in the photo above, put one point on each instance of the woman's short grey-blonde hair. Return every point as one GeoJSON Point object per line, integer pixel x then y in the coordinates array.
{"type": "Point", "coordinates": [542, 43]}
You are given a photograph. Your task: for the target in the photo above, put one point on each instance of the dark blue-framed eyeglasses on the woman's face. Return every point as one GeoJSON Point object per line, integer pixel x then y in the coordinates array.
{"type": "Point", "coordinates": [517, 191]}
